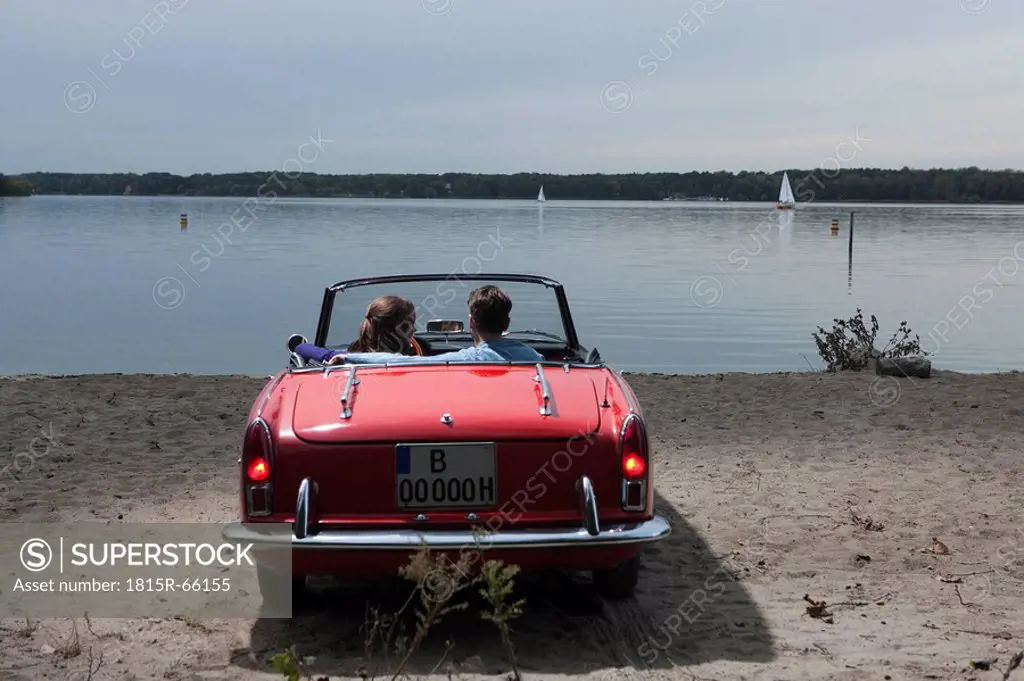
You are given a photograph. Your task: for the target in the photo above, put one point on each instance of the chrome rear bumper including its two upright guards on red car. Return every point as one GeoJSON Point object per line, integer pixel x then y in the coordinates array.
{"type": "Point", "coordinates": [306, 534]}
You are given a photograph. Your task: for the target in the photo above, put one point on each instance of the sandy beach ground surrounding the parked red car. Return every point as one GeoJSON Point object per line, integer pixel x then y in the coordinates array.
{"type": "Point", "coordinates": [789, 485]}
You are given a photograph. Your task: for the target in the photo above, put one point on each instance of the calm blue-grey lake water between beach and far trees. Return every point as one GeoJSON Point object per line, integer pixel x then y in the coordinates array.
{"type": "Point", "coordinates": [112, 284]}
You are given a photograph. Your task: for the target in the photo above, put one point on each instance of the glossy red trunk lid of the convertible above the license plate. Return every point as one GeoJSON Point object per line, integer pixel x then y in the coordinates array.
{"type": "Point", "coordinates": [450, 403]}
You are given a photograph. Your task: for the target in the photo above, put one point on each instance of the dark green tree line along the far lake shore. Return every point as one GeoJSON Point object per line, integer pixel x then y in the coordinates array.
{"type": "Point", "coordinates": [906, 185]}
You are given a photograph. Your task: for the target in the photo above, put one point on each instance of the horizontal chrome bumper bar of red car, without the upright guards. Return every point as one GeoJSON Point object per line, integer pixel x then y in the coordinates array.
{"type": "Point", "coordinates": [646, 532]}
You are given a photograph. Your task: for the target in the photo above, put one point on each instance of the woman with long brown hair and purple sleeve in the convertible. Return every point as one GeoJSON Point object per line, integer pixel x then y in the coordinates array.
{"type": "Point", "coordinates": [388, 327]}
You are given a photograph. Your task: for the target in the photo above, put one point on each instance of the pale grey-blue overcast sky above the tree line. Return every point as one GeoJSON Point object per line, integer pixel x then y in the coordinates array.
{"type": "Point", "coordinates": [566, 87]}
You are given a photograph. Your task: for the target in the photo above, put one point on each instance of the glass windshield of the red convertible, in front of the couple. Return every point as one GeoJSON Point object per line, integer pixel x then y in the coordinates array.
{"type": "Point", "coordinates": [535, 309]}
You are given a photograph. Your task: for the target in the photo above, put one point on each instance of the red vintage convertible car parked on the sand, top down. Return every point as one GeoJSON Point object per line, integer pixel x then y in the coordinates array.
{"type": "Point", "coordinates": [545, 465]}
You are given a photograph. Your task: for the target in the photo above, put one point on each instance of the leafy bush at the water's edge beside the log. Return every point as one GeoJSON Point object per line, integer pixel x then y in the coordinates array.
{"type": "Point", "coordinates": [850, 345]}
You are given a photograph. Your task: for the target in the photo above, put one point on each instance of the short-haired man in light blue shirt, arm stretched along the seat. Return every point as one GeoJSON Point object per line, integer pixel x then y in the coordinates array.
{"type": "Point", "coordinates": [490, 315]}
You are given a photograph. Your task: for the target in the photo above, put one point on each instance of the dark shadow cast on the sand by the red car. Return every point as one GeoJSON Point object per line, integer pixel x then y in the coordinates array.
{"type": "Point", "coordinates": [690, 609]}
